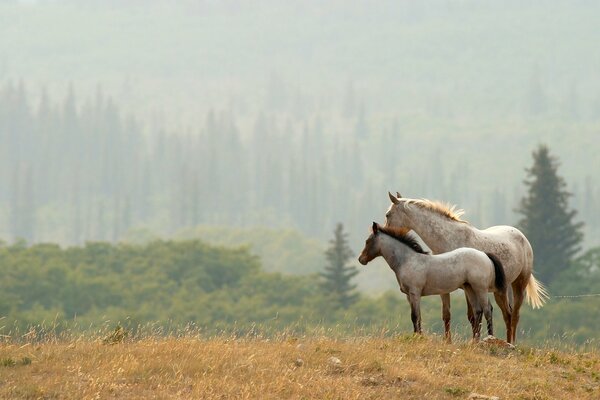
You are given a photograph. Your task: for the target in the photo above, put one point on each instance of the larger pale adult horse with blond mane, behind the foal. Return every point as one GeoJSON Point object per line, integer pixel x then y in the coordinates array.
{"type": "Point", "coordinates": [442, 229]}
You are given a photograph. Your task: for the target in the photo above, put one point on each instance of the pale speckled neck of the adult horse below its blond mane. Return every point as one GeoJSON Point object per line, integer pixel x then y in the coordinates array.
{"type": "Point", "coordinates": [440, 233]}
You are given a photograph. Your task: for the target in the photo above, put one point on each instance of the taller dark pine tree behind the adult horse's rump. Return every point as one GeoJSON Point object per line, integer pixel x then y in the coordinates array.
{"type": "Point", "coordinates": [547, 221]}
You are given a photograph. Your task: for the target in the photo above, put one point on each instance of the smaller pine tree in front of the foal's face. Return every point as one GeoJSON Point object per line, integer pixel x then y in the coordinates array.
{"type": "Point", "coordinates": [338, 274]}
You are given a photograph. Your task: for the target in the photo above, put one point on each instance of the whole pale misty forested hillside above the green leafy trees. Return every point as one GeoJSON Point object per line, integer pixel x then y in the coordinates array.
{"type": "Point", "coordinates": [167, 116]}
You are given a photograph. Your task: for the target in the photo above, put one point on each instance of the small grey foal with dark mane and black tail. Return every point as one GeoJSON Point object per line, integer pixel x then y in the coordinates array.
{"type": "Point", "coordinates": [421, 274]}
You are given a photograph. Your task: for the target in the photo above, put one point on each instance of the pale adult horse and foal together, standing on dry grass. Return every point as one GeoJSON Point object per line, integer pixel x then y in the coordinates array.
{"type": "Point", "coordinates": [498, 259]}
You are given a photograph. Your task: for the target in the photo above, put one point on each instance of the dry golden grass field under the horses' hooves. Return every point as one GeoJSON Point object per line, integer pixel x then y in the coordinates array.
{"type": "Point", "coordinates": [287, 367]}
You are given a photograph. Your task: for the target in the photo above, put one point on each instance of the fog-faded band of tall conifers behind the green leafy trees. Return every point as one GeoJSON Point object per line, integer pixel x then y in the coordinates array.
{"type": "Point", "coordinates": [80, 170]}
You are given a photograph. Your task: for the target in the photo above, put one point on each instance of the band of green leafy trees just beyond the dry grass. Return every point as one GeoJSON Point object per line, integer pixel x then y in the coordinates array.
{"type": "Point", "coordinates": [219, 289]}
